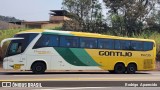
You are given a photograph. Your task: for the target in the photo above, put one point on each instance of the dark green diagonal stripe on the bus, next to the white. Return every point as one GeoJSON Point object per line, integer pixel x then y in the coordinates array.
{"type": "Point", "coordinates": [69, 56]}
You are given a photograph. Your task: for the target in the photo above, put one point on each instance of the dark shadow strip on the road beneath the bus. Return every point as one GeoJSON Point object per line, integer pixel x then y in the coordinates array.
{"type": "Point", "coordinates": [50, 73]}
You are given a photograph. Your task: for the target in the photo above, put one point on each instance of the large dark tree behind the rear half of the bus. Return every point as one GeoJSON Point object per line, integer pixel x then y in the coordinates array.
{"type": "Point", "coordinates": [132, 12]}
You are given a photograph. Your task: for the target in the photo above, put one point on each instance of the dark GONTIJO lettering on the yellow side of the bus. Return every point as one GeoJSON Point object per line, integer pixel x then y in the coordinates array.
{"type": "Point", "coordinates": [112, 53]}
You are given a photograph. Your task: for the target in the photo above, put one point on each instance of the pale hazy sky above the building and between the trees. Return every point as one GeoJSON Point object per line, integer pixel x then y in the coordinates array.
{"type": "Point", "coordinates": [30, 10]}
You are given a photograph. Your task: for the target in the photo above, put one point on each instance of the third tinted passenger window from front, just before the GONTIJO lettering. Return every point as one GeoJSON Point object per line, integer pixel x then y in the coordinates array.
{"type": "Point", "coordinates": [88, 43]}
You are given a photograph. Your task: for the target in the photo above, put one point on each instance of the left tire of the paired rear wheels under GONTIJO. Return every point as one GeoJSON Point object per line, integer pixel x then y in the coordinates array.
{"type": "Point", "coordinates": [119, 68]}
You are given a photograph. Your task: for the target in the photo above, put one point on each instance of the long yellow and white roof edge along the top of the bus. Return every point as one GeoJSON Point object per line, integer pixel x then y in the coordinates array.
{"type": "Point", "coordinates": [83, 34]}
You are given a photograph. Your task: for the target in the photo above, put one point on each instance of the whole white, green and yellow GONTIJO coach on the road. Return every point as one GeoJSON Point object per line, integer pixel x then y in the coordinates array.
{"type": "Point", "coordinates": [41, 50]}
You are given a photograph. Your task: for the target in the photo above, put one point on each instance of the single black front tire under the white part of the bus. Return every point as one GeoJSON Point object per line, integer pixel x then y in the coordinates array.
{"type": "Point", "coordinates": [38, 68]}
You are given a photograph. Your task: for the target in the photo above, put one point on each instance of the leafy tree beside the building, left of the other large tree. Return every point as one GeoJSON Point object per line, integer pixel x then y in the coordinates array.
{"type": "Point", "coordinates": [86, 15]}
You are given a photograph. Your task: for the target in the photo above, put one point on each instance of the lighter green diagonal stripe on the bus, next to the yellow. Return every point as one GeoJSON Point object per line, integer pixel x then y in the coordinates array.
{"type": "Point", "coordinates": [84, 57]}
